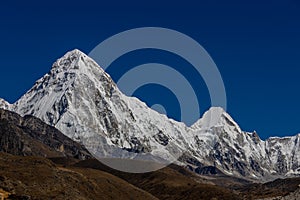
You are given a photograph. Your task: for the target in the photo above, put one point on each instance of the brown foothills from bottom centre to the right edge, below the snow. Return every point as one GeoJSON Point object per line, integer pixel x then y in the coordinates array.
{"type": "Point", "coordinates": [179, 183]}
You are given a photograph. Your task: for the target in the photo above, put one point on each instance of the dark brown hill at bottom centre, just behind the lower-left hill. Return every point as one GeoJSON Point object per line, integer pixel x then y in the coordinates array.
{"type": "Point", "coordinates": [172, 182]}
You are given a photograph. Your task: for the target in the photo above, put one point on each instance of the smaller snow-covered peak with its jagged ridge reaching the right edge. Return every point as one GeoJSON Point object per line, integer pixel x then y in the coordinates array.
{"type": "Point", "coordinates": [242, 153]}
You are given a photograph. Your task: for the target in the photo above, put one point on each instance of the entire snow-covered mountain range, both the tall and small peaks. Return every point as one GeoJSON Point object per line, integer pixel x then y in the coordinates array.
{"type": "Point", "coordinates": [83, 102]}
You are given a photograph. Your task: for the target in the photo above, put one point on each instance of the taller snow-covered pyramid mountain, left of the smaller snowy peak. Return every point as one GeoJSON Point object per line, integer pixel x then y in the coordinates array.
{"type": "Point", "coordinates": [83, 102]}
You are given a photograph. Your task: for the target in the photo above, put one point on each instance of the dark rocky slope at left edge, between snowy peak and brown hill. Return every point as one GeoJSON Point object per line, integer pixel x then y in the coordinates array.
{"type": "Point", "coordinates": [31, 136]}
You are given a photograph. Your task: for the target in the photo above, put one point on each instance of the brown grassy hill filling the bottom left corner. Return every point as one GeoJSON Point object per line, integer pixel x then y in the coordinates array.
{"type": "Point", "coordinates": [39, 178]}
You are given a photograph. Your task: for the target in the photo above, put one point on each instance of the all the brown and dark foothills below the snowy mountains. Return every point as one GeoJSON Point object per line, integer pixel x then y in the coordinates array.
{"type": "Point", "coordinates": [38, 162]}
